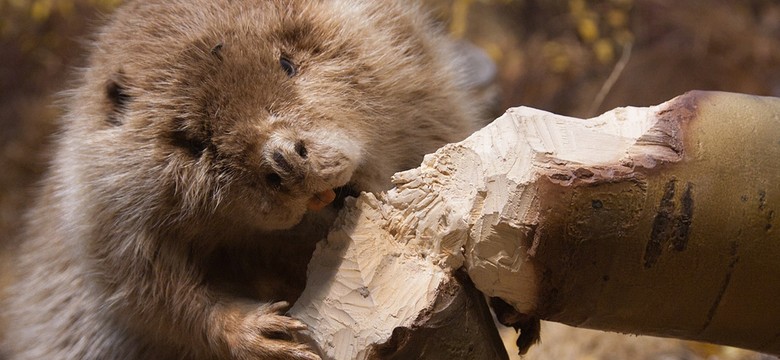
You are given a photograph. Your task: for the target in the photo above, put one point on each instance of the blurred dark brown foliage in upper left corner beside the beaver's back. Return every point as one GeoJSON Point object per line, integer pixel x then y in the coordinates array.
{"type": "Point", "coordinates": [40, 42]}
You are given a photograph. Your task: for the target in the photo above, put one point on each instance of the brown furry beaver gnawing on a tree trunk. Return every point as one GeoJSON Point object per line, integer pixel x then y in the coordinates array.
{"type": "Point", "coordinates": [175, 206]}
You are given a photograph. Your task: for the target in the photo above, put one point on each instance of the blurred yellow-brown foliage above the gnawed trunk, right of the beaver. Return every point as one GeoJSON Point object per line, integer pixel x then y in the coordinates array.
{"type": "Point", "coordinates": [582, 57]}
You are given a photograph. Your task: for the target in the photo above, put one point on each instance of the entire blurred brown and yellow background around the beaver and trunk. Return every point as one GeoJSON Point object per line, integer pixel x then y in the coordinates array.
{"type": "Point", "coordinates": [575, 57]}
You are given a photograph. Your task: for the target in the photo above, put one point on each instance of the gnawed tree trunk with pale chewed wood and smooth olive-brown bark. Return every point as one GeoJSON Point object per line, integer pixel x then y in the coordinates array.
{"type": "Point", "coordinates": [658, 221]}
